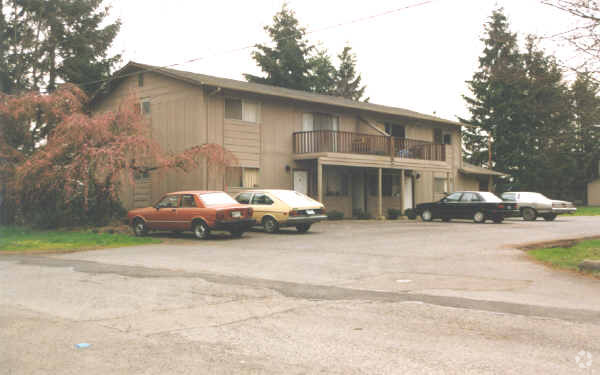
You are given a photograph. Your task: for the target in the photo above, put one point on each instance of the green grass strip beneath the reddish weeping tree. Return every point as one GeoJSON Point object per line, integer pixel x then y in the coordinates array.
{"type": "Point", "coordinates": [22, 239]}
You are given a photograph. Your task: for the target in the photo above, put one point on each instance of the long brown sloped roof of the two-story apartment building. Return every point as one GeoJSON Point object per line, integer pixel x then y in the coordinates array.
{"type": "Point", "coordinates": [281, 92]}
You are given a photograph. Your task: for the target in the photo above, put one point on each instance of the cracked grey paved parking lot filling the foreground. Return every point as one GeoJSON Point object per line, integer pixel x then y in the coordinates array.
{"type": "Point", "coordinates": [349, 297]}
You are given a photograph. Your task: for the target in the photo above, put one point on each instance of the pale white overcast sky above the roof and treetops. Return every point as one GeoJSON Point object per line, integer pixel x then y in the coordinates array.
{"type": "Point", "coordinates": [417, 58]}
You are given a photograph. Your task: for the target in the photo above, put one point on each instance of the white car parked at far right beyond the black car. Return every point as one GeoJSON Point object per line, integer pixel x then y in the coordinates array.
{"type": "Point", "coordinates": [532, 205]}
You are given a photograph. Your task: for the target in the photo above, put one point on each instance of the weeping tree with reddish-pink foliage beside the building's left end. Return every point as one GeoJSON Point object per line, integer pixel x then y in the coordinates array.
{"type": "Point", "coordinates": [55, 159]}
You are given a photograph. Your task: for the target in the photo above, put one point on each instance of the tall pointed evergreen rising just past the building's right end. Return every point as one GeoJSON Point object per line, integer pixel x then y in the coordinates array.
{"type": "Point", "coordinates": [498, 87]}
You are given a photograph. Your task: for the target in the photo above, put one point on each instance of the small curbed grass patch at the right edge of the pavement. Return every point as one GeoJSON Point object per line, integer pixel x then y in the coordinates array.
{"type": "Point", "coordinates": [568, 257]}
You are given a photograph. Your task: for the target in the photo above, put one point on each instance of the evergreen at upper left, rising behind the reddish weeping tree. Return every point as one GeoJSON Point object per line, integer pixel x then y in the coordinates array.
{"type": "Point", "coordinates": [48, 42]}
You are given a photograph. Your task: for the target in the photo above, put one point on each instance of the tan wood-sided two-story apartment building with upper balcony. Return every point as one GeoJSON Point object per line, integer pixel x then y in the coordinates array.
{"type": "Point", "coordinates": [352, 156]}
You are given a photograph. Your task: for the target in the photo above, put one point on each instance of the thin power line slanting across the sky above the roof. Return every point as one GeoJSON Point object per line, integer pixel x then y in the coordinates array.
{"type": "Point", "coordinates": [358, 20]}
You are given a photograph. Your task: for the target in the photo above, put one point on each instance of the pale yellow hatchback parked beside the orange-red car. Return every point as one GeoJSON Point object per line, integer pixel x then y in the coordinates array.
{"type": "Point", "coordinates": [274, 209]}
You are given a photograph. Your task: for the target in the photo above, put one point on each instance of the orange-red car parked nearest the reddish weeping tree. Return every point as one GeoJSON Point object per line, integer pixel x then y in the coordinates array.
{"type": "Point", "coordinates": [196, 211]}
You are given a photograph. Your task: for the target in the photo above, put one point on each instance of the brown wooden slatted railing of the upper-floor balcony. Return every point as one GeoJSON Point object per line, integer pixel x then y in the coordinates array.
{"type": "Point", "coordinates": [356, 143]}
